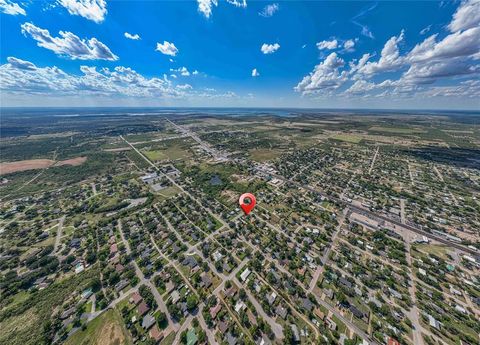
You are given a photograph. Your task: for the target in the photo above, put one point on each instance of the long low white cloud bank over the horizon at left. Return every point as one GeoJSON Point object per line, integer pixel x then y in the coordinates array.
{"type": "Point", "coordinates": [23, 77]}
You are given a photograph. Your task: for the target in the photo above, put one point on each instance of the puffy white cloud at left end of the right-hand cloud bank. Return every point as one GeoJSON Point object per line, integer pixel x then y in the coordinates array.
{"type": "Point", "coordinates": [325, 76]}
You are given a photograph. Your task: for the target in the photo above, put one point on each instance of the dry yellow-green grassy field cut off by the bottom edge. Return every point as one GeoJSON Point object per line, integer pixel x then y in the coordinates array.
{"type": "Point", "coordinates": [107, 329]}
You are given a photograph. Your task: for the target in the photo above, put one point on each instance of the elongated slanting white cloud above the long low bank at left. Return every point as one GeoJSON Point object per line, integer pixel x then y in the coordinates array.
{"type": "Point", "coordinates": [69, 45]}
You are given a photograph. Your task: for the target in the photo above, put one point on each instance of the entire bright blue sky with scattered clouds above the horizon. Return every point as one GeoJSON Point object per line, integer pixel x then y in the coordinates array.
{"type": "Point", "coordinates": [390, 54]}
